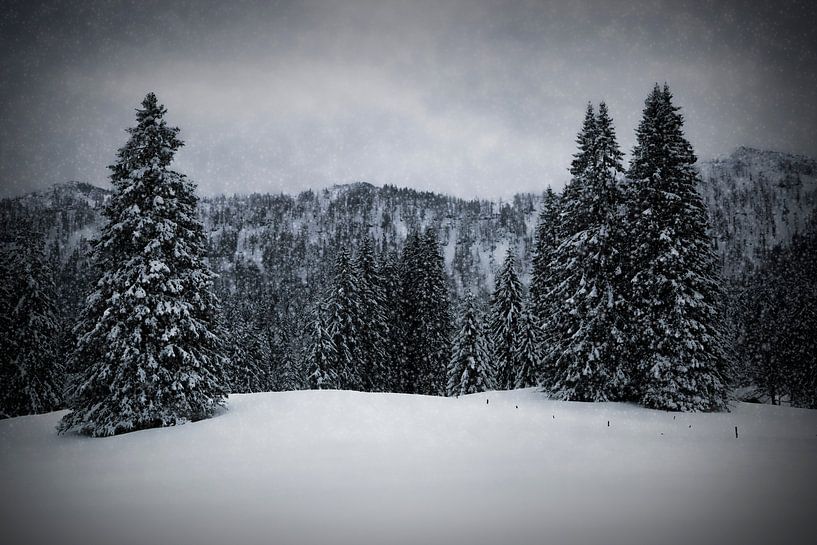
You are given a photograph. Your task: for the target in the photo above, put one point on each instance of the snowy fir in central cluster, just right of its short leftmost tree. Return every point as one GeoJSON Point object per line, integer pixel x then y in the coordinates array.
{"type": "Point", "coordinates": [345, 323]}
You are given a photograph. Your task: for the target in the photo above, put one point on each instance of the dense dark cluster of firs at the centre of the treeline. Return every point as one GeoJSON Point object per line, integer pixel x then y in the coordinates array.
{"type": "Point", "coordinates": [384, 325]}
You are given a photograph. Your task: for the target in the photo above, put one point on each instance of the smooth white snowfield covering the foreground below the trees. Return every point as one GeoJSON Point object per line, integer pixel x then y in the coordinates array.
{"type": "Point", "coordinates": [355, 468]}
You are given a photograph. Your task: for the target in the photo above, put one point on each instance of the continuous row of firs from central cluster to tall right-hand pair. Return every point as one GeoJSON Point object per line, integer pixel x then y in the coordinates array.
{"type": "Point", "coordinates": [625, 298]}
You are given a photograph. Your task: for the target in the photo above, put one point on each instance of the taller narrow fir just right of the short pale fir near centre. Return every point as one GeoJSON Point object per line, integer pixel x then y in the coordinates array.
{"type": "Point", "coordinates": [504, 322]}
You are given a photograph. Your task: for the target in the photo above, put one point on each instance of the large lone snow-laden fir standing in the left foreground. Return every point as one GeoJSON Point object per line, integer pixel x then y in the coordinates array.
{"type": "Point", "coordinates": [147, 339]}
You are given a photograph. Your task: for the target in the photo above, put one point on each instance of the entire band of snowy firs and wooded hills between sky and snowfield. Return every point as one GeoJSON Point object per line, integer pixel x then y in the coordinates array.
{"type": "Point", "coordinates": [665, 282]}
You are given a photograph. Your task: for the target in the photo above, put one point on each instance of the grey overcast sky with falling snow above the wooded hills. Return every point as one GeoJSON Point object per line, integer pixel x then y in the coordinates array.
{"type": "Point", "coordinates": [470, 98]}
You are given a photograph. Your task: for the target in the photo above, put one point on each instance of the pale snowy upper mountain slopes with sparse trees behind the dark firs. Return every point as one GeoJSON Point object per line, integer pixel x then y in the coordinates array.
{"type": "Point", "coordinates": [756, 199]}
